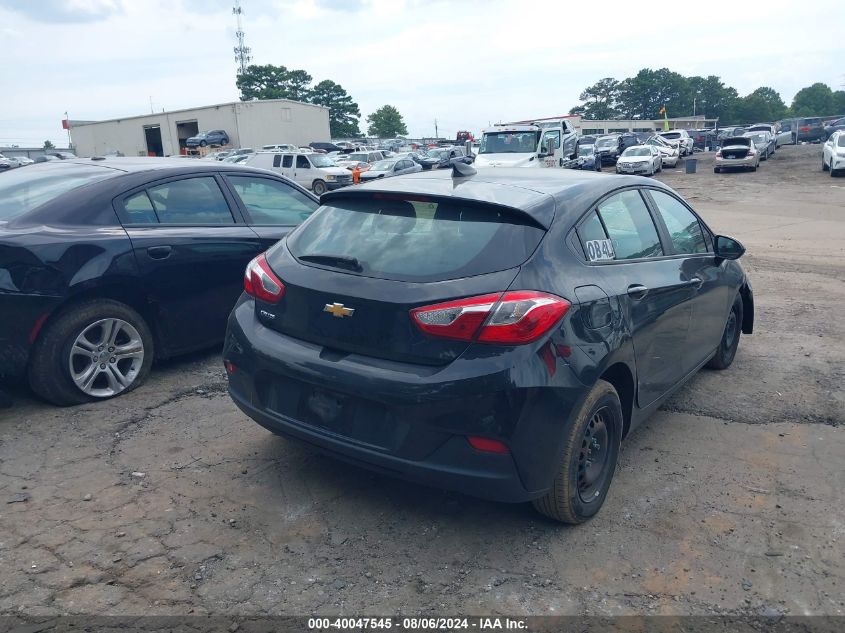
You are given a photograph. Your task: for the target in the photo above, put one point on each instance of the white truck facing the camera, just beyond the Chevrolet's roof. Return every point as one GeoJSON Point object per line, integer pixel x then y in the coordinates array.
{"type": "Point", "coordinates": [539, 144]}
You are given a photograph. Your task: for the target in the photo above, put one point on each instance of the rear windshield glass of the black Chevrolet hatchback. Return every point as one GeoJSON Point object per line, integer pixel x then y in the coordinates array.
{"type": "Point", "coordinates": [412, 240]}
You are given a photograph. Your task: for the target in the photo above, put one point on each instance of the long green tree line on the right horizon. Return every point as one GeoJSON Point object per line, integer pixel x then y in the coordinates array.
{"type": "Point", "coordinates": [642, 96]}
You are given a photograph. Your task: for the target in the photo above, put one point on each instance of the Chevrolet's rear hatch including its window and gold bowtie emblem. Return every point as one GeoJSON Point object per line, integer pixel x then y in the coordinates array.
{"type": "Point", "coordinates": [355, 269]}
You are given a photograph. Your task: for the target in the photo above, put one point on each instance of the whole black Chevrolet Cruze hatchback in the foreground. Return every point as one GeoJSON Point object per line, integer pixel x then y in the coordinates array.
{"type": "Point", "coordinates": [497, 333]}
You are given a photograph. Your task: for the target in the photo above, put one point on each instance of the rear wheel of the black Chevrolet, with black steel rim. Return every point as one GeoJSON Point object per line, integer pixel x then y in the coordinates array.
{"type": "Point", "coordinates": [598, 419]}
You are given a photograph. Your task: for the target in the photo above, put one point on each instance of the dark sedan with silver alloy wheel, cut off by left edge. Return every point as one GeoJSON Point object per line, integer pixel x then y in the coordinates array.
{"type": "Point", "coordinates": [108, 264]}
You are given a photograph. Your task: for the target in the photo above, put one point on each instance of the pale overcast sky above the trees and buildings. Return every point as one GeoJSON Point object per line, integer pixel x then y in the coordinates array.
{"type": "Point", "coordinates": [465, 62]}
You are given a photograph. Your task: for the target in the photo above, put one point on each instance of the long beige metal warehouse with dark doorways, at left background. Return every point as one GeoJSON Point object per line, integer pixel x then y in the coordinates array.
{"type": "Point", "coordinates": [248, 124]}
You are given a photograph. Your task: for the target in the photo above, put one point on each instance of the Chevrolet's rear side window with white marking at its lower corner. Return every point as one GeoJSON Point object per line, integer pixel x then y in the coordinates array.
{"type": "Point", "coordinates": [625, 220]}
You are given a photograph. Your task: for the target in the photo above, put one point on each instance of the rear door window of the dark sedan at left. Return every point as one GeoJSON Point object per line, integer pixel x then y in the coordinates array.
{"type": "Point", "coordinates": [190, 201]}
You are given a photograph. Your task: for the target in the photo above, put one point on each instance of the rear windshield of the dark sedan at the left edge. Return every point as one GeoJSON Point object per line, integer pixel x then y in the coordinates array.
{"type": "Point", "coordinates": [22, 190]}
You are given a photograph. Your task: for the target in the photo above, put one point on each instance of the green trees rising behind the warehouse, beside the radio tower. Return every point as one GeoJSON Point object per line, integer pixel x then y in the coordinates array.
{"type": "Point", "coordinates": [278, 82]}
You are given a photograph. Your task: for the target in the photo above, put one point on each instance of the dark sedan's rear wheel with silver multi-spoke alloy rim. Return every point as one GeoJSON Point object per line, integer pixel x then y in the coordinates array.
{"type": "Point", "coordinates": [52, 359]}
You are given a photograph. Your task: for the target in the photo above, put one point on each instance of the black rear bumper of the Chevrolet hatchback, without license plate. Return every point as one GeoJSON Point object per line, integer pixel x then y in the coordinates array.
{"type": "Point", "coordinates": [405, 420]}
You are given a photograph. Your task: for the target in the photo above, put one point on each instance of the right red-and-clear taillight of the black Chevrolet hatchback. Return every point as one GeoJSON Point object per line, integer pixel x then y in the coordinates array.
{"type": "Point", "coordinates": [511, 318]}
